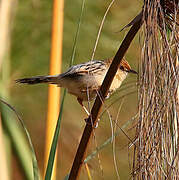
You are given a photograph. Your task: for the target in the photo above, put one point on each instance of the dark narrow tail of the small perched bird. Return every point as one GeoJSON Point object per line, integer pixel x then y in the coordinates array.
{"type": "Point", "coordinates": [39, 79]}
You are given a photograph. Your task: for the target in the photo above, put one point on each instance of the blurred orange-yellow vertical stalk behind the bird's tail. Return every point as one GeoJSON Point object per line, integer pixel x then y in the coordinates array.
{"type": "Point", "coordinates": [55, 68]}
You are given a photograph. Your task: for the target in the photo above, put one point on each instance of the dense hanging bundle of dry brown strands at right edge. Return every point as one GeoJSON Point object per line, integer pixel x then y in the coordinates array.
{"type": "Point", "coordinates": [156, 152]}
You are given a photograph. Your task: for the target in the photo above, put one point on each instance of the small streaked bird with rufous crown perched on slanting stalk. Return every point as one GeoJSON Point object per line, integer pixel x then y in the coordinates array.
{"type": "Point", "coordinates": [84, 80]}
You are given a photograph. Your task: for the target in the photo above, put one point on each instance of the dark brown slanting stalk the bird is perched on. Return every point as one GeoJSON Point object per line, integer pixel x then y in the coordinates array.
{"type": "Point", "coordinates": [92, 119]}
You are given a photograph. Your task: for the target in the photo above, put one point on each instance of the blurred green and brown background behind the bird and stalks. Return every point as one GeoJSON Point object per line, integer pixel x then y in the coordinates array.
{"type": "Point", "coordinates": [30, 51]}
